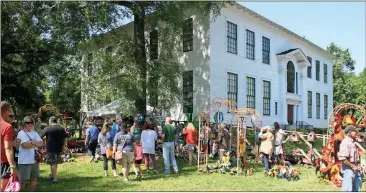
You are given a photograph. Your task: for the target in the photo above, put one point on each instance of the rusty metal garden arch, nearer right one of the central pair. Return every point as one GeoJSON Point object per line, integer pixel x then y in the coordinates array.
{"type": "Point", "coordinates": [256, 120]}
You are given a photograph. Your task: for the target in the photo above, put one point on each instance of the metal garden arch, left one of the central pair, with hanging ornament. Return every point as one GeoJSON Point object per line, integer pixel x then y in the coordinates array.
{"type": "Point", "coordinates": [204, 119]}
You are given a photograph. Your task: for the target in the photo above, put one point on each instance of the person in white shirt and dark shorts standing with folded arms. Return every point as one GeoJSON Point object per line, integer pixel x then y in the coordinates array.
{"type": "Point", "coordinates": [28, 166]}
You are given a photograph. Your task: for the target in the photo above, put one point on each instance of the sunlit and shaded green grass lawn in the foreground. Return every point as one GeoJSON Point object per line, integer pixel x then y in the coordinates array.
{"type": "Point", "coordinates": [84, 176]}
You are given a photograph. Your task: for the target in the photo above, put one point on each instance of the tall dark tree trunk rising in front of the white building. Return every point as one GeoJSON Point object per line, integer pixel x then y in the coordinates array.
{"type": "Point", "coordinates": [140, 53]}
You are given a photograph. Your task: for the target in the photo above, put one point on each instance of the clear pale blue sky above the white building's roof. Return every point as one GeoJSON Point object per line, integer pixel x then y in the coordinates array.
{"type": "Point", "coordinates": [321, 23]}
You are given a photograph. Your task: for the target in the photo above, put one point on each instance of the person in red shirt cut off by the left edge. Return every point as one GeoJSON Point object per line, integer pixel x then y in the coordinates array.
{"type": "Point", "coordinates": [8, 166]}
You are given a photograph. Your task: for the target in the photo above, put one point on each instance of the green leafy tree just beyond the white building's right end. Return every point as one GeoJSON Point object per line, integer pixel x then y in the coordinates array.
{"type": "Point", "coordinates": [344, 89]}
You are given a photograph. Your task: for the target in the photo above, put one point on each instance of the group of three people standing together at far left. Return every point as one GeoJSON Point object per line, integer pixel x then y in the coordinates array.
{"type": "Point", "coordinates": [20, 152]}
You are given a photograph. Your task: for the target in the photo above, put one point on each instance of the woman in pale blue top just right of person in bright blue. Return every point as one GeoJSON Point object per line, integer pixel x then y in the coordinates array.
{"type": "Point", "coordinates": [105, 140]}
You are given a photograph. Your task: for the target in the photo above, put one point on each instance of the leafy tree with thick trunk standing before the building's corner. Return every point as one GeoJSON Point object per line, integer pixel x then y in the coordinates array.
{"type": "Point", "coordinates": [142, 78]}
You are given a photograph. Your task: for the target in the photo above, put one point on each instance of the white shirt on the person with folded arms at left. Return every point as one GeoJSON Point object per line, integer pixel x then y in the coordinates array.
{"type": "Point", "coordinates": [27, 156]}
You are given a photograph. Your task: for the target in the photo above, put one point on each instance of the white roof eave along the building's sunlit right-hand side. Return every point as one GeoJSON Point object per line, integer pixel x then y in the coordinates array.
{"type": "Point", "coordinates": [245, 9]}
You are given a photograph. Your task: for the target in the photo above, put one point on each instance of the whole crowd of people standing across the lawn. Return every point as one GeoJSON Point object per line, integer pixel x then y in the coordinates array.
{"type": "Point", "coordinates": [131, 145]}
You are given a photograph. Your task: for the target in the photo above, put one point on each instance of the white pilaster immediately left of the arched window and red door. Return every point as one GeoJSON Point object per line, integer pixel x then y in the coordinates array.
{"type": "Point", "coordinates": [283, 91]}
